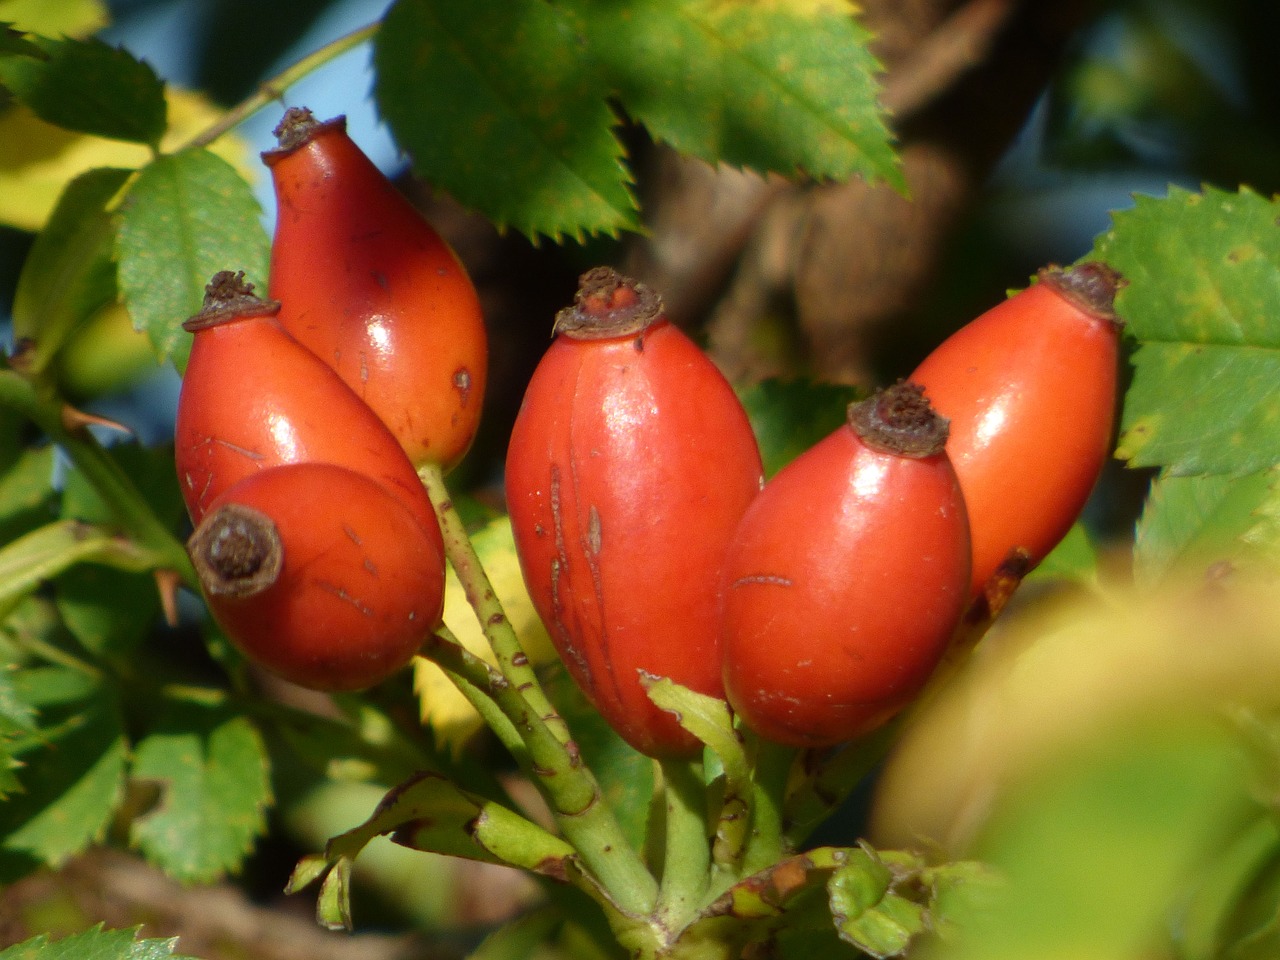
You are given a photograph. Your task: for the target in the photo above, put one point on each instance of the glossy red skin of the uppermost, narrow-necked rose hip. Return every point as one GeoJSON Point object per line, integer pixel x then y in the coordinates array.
{"type": "Point", "coordinates": [374, 291]}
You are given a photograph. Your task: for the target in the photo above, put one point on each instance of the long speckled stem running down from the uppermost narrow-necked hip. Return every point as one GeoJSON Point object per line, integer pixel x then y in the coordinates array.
{"type": "Point", "coordinates": [556, 765]}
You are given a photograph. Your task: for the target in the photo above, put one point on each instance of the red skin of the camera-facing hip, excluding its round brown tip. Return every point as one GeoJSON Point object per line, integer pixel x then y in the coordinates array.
{"type": "Point", "coordinates": [362, 586]}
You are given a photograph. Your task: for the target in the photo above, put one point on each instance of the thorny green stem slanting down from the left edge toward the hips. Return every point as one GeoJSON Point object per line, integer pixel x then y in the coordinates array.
{"type": "Point", "coordinates": [126, 502]}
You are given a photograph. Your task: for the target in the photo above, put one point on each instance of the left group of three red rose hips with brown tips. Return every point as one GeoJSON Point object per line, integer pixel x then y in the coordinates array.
{"type": "Point", "coordinates": [303, 420]}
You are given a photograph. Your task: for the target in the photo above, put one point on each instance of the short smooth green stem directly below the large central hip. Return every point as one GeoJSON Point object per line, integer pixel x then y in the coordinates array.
{"type": "Point", "coordinates": [687, 863]}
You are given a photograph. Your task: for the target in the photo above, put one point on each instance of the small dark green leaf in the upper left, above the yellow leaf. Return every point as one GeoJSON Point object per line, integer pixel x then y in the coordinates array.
{"type": "Point", "coordinates": [89, 88]}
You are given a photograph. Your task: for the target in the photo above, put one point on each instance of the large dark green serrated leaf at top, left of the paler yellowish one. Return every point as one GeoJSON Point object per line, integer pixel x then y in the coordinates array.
{"type": "Point", "coordinates": [497, 106]}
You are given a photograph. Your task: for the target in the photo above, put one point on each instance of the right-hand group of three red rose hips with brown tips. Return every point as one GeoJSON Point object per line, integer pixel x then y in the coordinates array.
{"type": "Point", "coordinates": [821, 602]}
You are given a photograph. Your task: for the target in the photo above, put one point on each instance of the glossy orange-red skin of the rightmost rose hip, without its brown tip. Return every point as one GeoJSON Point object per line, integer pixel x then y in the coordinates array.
{"type": "Point", "coordinates": [1030, 388]}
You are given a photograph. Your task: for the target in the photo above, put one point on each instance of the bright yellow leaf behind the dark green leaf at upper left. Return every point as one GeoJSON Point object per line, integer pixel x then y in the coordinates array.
{"type": "Point", "coordinates": [38, 159]}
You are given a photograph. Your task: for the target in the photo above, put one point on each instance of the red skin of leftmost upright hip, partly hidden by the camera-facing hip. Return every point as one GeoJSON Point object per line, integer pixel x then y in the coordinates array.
{"type": "Point", "coordinates": [254, 399]}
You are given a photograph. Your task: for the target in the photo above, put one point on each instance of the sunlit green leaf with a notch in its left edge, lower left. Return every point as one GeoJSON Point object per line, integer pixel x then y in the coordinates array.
{"type": "Point", "coordinates": [212, 766]}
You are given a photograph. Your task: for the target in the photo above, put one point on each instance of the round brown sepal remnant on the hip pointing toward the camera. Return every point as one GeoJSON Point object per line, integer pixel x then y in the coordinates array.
{"type": "Point", "coordinates": [237, 552]}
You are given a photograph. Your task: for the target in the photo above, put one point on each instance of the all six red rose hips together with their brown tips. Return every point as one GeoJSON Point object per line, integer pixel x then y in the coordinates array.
{"type": "Point", "coordinates": [817, 604]}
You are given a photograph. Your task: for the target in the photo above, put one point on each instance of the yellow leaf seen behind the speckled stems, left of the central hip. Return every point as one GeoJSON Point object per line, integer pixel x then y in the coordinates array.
{"type": "Point", "coordinates": [444, 708]}
